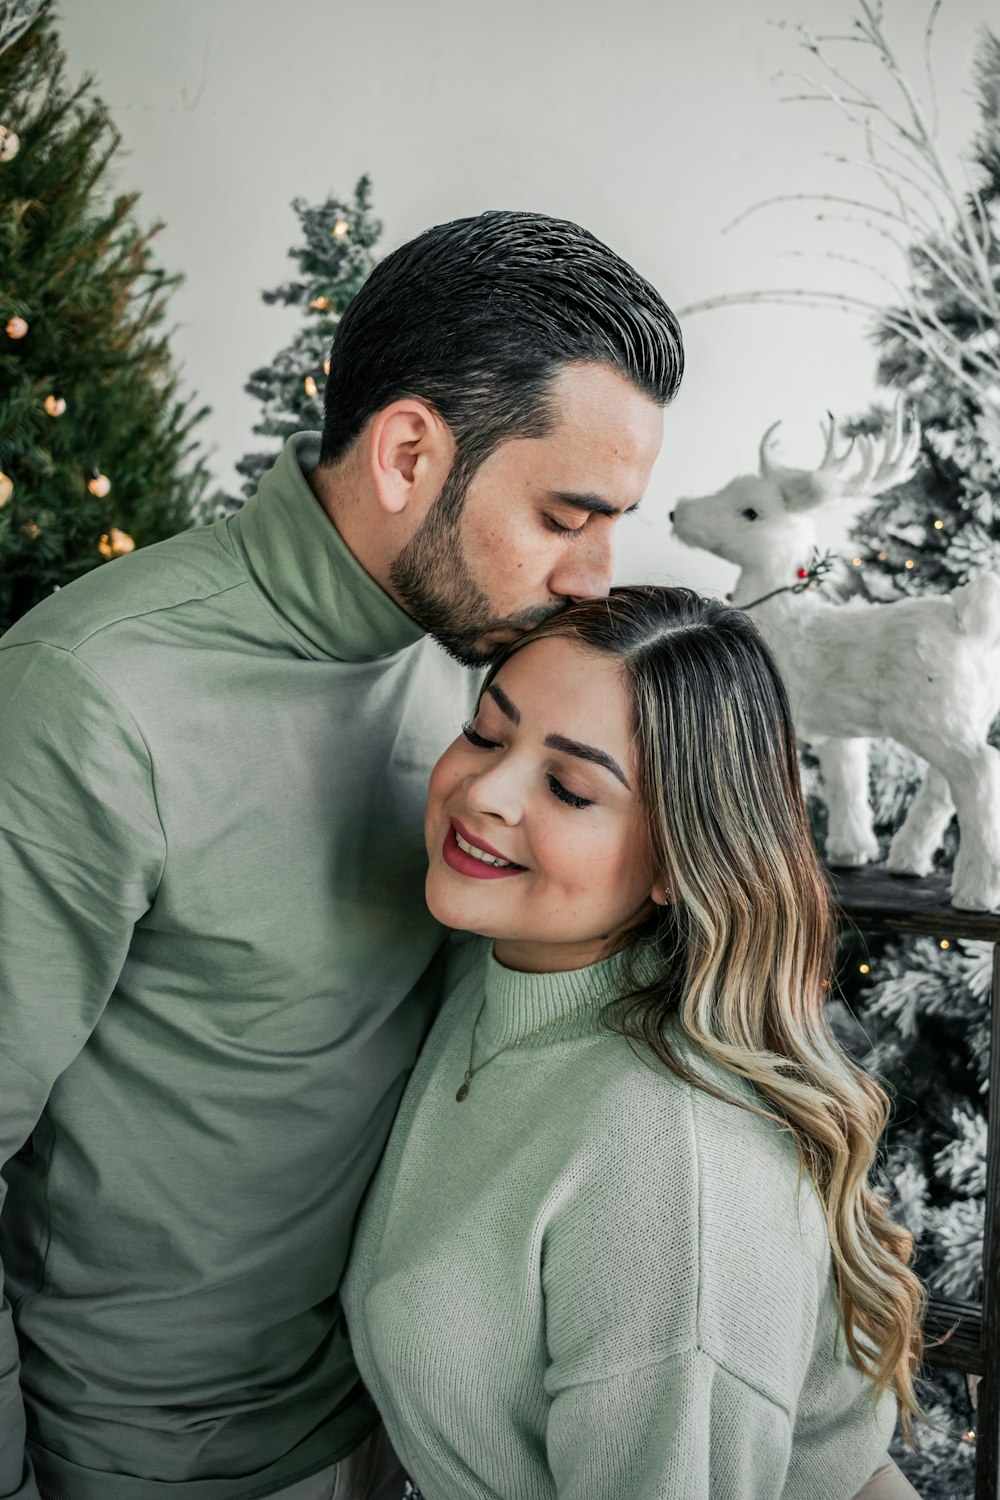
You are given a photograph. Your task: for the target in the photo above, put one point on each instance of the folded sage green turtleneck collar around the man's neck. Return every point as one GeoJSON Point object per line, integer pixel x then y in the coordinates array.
{"type": "Point", "coordinates": [305, 571]}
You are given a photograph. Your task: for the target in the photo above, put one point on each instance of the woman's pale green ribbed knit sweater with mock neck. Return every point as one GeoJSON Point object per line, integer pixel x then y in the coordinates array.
{"type": "Point", "coordinates": [591, 1280]}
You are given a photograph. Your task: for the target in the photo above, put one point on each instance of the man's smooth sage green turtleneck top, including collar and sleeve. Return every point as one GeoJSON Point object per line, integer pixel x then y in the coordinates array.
{"type": "Point", "coordinates": [214, 763]}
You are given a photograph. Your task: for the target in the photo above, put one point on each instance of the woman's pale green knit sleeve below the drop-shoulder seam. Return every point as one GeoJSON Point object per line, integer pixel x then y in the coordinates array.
{"type": "Point", "coordinates": [678, 1427]}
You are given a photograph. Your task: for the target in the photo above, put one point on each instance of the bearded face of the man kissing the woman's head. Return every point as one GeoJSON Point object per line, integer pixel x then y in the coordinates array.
{"type": "Point", "coordinates": [537, 526]}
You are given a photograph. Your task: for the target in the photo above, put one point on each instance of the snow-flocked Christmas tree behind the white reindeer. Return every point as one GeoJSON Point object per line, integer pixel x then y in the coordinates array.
{"type": "Point", "coordinates": [929, 1006]}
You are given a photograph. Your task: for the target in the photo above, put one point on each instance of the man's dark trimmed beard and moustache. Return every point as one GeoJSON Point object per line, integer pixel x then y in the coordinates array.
{"type": "Point", "coordinates": [433, 581]}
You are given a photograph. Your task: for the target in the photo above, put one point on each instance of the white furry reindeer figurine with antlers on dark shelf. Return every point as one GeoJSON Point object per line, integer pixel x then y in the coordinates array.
{"type": "Point", "coordinates": [921, 671]}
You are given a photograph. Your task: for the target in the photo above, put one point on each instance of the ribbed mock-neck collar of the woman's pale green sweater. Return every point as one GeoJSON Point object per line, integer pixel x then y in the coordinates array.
{"type": "Point", "coordinates": [567, 1004]}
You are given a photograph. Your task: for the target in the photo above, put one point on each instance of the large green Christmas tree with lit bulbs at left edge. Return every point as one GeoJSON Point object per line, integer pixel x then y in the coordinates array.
{"type": "Point", "coordinates": [97, 451]}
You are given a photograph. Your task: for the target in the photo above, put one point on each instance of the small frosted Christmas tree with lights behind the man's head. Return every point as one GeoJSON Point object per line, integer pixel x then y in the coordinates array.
{"type": "Point", "coordinates": [334, 260]}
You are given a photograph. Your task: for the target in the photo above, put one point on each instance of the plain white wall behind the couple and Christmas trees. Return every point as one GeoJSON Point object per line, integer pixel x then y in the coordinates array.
{"type": "Point", "coordinates": [651, 122]}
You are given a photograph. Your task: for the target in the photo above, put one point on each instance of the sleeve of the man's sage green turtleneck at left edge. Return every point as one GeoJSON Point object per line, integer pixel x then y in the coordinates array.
{"type": "Point", "coordinates": [82, 851]}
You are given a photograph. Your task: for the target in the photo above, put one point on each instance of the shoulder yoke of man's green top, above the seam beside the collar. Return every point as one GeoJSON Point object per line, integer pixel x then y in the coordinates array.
{"type": "Point", "coordinates": [169, 575]}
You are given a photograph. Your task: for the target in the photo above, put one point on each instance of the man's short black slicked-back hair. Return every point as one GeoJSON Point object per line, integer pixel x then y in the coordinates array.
{"type": "Point", "coordinates": [476, 319]}
